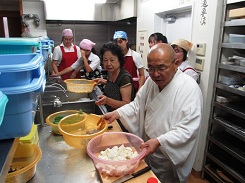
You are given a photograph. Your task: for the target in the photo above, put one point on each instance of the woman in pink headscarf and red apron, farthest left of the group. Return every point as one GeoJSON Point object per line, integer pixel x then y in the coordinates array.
{"type": "Point", "coordinates": [65, 55]}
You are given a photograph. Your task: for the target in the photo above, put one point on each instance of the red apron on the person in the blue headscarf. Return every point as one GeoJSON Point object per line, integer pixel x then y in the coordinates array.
{"type": "Point", "coordinates": [130, 66]}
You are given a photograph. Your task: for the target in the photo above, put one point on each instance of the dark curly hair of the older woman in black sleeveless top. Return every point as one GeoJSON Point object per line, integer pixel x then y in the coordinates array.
{"type": "Point", "coordinates": [114, 49]}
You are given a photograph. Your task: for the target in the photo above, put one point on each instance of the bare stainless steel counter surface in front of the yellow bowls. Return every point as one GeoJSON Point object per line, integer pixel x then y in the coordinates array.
{"type": "Point", "coordinates": [62, 163]}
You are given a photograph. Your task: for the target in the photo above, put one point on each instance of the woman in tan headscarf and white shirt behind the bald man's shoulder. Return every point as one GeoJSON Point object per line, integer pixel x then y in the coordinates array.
{"type": "Point", "coordinates": [181, 48]}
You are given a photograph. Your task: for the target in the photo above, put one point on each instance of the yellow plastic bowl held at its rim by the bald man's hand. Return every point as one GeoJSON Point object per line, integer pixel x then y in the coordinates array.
{"type": "Point", "coordinates": [77, 136]}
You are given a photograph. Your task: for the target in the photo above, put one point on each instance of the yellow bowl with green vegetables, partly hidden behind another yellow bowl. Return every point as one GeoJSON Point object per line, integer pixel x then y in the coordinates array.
{"type": "Point", "coordinates": [51, 117]}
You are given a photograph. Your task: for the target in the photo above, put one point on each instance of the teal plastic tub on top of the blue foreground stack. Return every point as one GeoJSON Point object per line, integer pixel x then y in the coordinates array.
{"type": "Point", "coordinates": [19, 45]}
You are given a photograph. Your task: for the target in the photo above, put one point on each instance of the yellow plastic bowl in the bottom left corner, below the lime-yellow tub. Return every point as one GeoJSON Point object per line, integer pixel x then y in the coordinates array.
{"type": "Point", "coordinates": [26, 166]}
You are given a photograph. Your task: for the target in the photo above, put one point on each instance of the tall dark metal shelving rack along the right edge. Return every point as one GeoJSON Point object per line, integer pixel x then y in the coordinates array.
{"type": "Point", "coordinates": [225, 148]}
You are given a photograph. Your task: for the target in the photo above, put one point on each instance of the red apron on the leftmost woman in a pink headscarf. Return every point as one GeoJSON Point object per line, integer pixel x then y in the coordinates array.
{"type": "Point", "coordinates": [68, 58]}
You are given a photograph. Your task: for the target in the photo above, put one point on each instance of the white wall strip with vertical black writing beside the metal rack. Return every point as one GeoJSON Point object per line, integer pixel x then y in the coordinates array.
{"type": "Point", "coordinates": [209, 33]}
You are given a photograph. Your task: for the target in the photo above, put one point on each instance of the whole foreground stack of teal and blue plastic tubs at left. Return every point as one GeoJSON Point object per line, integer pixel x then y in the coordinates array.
{"type": "Point", "coordinates": [22, 77]}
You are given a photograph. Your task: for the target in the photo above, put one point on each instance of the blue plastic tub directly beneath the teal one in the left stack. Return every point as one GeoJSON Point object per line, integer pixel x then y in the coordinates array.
{"type": "Point", "coordinates": [19, 69]}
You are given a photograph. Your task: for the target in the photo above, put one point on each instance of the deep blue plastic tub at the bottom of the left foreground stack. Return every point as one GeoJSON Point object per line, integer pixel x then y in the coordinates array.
{"type": "Point", "coordinates": [18, 117]}
